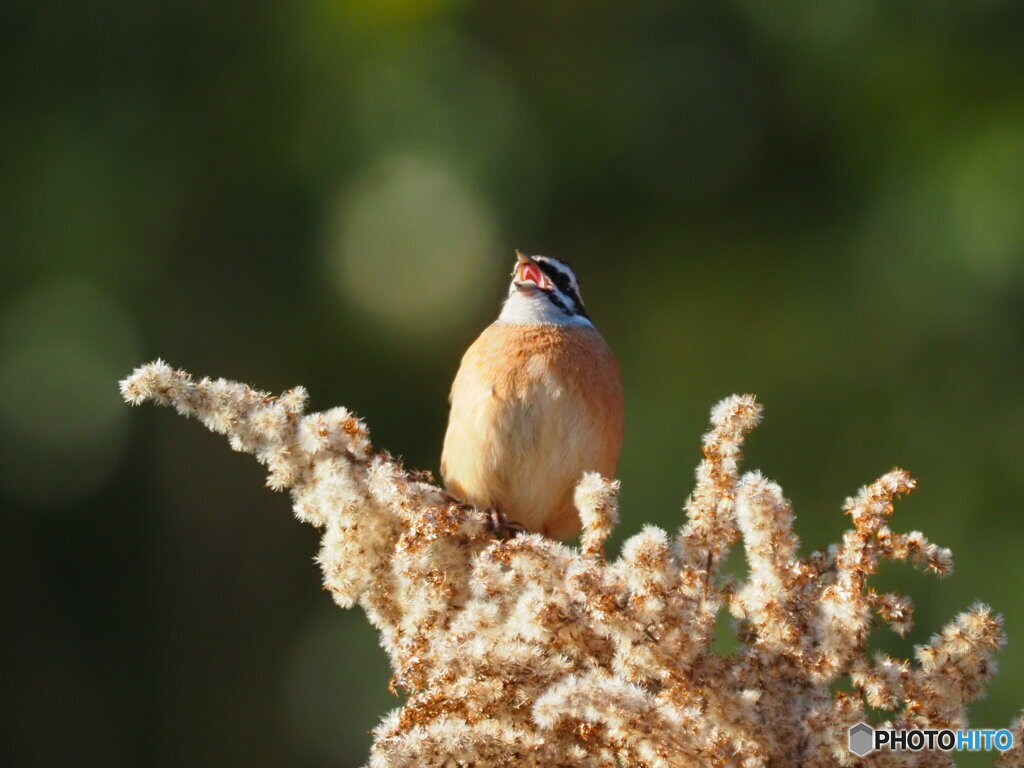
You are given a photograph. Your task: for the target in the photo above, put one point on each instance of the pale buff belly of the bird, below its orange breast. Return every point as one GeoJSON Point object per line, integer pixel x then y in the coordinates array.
{"type": "Point", "coordinates": [524, 456]}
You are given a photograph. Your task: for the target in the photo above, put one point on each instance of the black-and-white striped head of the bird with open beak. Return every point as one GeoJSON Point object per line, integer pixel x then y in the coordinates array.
{"type": "Point", "coordinates": [544, 291]}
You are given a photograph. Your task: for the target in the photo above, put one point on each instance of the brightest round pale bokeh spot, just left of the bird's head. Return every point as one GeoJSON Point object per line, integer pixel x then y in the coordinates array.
{"type": "Point", "coordinates": [411, 246]}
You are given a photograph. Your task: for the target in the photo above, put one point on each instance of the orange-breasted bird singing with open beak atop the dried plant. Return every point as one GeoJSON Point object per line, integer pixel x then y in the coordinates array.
{"type": "Point", "coordinates": [537, 402]}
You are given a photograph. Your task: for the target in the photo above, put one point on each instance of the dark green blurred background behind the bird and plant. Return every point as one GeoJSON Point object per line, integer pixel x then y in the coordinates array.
{"type": "Point", "coordinates": [818, 202]}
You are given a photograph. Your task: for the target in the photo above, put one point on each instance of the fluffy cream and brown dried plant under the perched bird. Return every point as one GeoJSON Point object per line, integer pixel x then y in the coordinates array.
{"type": "Point", "coordinates": [526, 652]}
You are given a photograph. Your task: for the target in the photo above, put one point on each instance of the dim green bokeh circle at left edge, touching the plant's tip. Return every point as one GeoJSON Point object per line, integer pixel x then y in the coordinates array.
{"type": "Point", "coordinates": [62, 352]}
